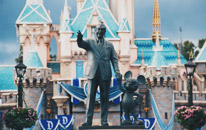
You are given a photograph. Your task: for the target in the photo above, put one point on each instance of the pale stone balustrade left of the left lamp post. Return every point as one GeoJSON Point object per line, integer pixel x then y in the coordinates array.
{"type": "Point", "coordinates": [8, 99]}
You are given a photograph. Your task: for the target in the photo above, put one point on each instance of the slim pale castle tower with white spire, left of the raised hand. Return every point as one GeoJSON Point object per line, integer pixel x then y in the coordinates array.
{"type": "Point", "coordinates": [65, 35]}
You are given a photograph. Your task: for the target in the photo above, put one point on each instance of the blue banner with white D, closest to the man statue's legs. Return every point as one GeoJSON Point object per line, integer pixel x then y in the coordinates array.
{"type": "Point", "coordinates": [65, 121]}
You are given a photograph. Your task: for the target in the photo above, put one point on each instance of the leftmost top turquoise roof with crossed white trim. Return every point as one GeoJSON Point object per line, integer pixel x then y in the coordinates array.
{"type": "Point", "coordinates": [34, 12]}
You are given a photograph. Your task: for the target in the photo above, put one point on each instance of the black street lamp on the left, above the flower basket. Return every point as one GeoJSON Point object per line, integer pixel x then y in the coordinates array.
{"type": "Point", "coordinates": [20, 71]}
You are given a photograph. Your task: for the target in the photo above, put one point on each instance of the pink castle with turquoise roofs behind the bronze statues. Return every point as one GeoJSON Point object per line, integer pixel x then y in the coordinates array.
{"type": "Point", "coordinates": [155, 58]}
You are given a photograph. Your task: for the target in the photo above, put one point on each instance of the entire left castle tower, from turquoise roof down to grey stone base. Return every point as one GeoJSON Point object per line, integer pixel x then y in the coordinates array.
{"type": "Point", "coordinates": [33, 30]}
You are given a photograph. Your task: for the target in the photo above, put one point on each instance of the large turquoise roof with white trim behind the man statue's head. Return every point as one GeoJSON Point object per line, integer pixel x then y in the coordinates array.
{"type": "Point", "coordinates": [105, 15]}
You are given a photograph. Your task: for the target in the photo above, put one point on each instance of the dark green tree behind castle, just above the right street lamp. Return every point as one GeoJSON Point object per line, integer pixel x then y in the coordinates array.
{"type": "Point", "coordinates": [187, 47]}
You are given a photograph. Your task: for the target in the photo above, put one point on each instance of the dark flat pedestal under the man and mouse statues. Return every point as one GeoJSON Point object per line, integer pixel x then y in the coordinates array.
{"type": "Point", "coordinates": [129, 127]}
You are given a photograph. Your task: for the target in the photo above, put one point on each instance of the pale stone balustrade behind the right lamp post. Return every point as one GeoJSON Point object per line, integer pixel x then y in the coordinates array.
{"type": "Point", "coordinates": [181, 97]}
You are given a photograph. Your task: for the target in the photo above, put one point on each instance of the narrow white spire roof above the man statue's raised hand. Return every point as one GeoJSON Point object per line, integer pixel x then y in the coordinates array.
{"type": "Point", "coordinates": [65, 25]}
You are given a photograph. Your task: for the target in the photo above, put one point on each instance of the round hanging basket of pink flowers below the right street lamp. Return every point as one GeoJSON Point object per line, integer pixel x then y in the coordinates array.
{"type": "Point", "coordinates": [191, 117]}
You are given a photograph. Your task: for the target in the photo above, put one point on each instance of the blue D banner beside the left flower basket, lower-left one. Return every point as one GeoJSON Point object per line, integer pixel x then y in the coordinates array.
{"type": "Point", "coordinates": [49, 124]}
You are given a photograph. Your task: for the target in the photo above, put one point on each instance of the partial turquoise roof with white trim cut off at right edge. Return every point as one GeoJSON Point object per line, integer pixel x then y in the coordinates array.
{"type": "Point", "coordinates": [201, 57]}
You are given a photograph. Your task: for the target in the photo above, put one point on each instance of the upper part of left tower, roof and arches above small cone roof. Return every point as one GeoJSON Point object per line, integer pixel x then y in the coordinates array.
{"type": "Point", "coordinates": [33, 29]}
